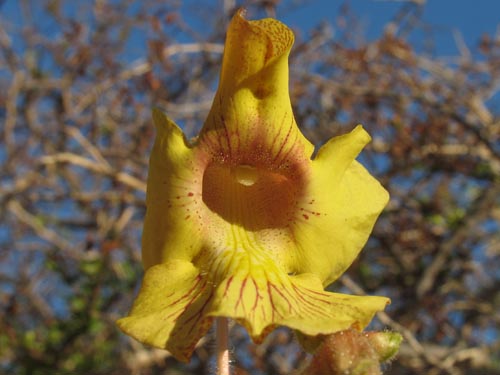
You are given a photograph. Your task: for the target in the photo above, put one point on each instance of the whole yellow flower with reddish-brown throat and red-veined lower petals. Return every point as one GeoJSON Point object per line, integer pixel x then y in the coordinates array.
{"type": "Point", "coordinates": [241, 223]}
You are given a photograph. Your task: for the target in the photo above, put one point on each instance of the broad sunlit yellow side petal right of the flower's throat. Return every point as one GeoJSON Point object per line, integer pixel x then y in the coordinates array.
{"type": "Point", "coordinates": [339, 210]}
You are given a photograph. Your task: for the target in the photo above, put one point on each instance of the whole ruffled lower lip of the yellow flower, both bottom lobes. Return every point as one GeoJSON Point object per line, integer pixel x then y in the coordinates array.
{"type": "Point", "coordinates": [178, 301]}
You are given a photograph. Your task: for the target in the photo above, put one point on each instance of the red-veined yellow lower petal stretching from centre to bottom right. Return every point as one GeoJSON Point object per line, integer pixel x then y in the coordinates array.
{"type": "Point", "coordinates": [260, 296]}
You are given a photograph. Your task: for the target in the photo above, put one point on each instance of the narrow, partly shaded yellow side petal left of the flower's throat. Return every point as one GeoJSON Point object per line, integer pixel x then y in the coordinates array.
{"type": "Point", "coordinates": [173, 197]}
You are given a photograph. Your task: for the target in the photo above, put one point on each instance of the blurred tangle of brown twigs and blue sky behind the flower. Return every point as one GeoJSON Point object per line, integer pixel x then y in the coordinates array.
{"type": "Point", "coordinates": [78, 81]}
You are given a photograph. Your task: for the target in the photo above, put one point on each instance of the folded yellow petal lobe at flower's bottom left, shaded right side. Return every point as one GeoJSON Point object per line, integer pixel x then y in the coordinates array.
{"type": "Point", "coordinates": [170, 310]}
